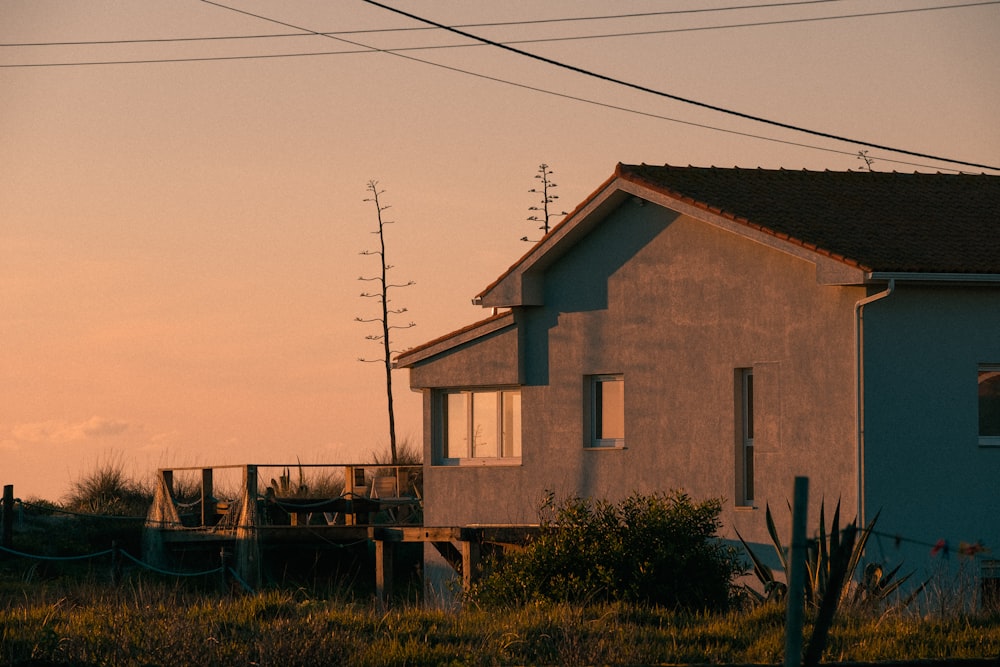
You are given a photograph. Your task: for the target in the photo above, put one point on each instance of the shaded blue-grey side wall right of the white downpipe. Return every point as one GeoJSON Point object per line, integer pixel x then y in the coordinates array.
{"type": "Point", "coordinates": [924, 469]}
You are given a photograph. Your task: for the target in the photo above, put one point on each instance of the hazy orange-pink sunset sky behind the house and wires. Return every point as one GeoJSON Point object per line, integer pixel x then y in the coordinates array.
{"type": "Point", "coordinates": [182, 226]}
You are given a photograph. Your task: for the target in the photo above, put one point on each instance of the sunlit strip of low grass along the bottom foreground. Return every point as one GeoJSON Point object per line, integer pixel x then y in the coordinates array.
{"type": "Point", "coordinates": [153, 623]}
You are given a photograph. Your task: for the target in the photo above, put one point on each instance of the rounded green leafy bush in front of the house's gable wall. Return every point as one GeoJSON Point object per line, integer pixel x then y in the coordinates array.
{"type": "Point", "coordinates": [659, 549]}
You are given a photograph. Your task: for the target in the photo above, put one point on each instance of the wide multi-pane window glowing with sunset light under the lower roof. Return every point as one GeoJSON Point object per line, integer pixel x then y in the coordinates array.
{"type": "Point", "coordinates": [481, 424]}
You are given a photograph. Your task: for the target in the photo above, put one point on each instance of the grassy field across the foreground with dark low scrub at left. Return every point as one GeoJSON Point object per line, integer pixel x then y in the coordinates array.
{"type": "Point", "coordinates": [105, 612]}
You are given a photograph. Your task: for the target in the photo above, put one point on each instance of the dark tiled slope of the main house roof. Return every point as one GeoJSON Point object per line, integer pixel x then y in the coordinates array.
{"type": "Point", "coordinates": [881, 221]}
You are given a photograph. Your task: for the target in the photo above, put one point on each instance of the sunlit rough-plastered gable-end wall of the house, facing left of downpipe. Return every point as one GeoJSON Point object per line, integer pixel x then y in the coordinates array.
{"type": "Point", "coordinates": [676, 306]}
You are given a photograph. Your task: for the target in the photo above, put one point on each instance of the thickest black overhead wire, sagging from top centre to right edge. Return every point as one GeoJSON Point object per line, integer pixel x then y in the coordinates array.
{"type": "Point", "coordinates": [677, 98]}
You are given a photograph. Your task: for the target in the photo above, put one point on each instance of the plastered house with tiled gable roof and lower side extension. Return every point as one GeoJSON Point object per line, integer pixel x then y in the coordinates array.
{"type": "Point", "coordinates": [722, 331]}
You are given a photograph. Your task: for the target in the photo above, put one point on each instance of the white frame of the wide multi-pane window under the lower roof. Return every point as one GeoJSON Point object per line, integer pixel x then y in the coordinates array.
{"type": "Point", "coordinates": [505, 452]}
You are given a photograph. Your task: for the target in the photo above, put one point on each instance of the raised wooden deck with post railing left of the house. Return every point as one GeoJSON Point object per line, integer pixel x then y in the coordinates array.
{"type": "Point", "coordinates": [368, 510]}
